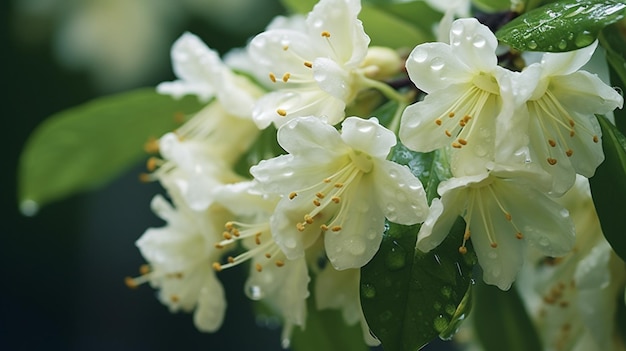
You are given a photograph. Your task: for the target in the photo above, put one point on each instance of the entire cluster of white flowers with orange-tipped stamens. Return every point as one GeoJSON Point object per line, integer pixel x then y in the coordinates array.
{"type": "Point", "coordinates": [307, 217]}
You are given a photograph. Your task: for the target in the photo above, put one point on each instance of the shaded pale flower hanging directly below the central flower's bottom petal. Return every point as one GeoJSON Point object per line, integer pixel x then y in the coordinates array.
{"type": "Point", "coordinates": [341, 290]}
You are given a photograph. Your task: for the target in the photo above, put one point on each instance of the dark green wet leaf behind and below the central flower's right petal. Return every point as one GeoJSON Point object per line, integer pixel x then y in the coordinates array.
{"type": "Point", "coordinates": [410, 297]}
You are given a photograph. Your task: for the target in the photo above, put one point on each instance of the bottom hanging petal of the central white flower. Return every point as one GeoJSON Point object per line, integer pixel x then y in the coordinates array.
{"type": "Point", "coordinates": [362, 230]}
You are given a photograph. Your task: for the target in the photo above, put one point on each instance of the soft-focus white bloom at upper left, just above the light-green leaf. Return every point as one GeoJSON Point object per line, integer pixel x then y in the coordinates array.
{"type": "Point", "coordinates": [201, 72]}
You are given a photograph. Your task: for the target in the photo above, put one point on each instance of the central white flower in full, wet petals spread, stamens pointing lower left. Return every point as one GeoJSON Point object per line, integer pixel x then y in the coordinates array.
{"type": "Point", "coordinates": [340, 185]}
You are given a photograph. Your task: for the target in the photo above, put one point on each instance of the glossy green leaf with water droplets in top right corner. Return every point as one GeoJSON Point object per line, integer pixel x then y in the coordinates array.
{"type": "Point", "coordinates": [561, 26]}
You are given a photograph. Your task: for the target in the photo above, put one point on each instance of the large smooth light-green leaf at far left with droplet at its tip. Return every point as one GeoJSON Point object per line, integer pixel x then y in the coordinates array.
{"type": "Point", "coordinates": [85, 146]}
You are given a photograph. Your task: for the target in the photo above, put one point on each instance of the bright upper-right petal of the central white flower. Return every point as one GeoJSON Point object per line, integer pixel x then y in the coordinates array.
{"type": "Point", "coordinates": [367, 136]}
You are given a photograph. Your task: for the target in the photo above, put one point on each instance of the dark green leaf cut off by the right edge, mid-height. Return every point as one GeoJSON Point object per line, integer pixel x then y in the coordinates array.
{"type": "Point", "coordinates": [608, 185]}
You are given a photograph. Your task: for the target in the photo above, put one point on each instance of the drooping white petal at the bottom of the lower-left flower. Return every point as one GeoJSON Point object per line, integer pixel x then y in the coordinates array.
{"type": "Point", "coordinates": [209, 313]}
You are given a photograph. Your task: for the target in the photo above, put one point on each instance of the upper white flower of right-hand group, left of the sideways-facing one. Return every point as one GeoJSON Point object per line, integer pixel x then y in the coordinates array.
{"type": "Point", "coordinates": [464, 84]}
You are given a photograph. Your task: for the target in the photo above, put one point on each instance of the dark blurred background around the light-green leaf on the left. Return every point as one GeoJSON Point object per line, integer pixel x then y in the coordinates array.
{"type": "Point", "coordinates": [62, 271]}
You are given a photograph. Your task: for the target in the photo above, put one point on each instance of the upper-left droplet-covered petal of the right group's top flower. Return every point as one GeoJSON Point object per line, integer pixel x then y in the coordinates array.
{"type": "Point", "coordinates": [433, 66]}
